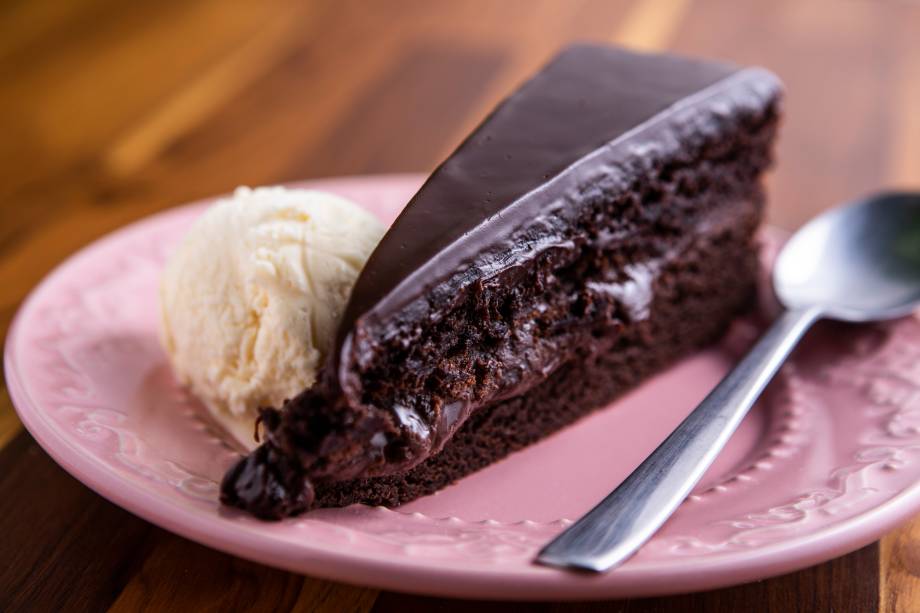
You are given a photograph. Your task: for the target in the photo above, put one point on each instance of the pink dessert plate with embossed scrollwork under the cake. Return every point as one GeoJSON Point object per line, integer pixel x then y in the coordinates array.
{"type": "Point", "coordinates": [827, 462]}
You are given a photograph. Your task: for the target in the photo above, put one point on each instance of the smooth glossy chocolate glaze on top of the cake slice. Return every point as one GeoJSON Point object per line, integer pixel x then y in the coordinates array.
{"type": "Point", "coordinates": [587, 97]}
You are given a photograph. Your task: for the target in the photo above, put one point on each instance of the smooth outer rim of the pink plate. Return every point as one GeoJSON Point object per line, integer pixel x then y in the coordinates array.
{"type": "Point", "coordinates": [422, 577]}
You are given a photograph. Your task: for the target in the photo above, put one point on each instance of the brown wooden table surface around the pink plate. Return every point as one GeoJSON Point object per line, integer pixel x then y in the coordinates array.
{"type": "Point", "coordinates": [112, 110]}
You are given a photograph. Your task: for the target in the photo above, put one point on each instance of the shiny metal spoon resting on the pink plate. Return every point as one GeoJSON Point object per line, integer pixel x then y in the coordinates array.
{"type": "Point", "coordinates": [856, 263]}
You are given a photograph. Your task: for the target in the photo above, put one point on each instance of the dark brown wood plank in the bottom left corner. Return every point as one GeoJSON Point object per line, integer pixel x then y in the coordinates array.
{"type": "Point", "coordinates": [63, 546]}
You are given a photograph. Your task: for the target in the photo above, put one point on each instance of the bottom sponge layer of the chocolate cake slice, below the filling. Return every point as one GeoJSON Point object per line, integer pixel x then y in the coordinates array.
{"type": "Point", "coordinates": [715, 279]}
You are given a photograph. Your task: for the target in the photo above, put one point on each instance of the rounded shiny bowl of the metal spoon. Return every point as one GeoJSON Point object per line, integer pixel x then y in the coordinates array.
{"type": "Point", "coordinates": [860, 262]}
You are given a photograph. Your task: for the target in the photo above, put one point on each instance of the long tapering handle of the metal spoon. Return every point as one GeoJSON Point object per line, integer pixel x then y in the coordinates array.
{"type": "Point", "coordinates": [613, 530]}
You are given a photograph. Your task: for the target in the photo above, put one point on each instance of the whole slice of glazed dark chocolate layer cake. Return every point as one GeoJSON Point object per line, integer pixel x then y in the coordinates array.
{"type": "Point", "coordinates": [598, 225]}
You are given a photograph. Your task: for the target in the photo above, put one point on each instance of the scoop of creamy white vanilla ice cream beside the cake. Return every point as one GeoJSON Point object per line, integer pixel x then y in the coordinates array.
{"type": "Point", "coordinates": [251, 299]}
